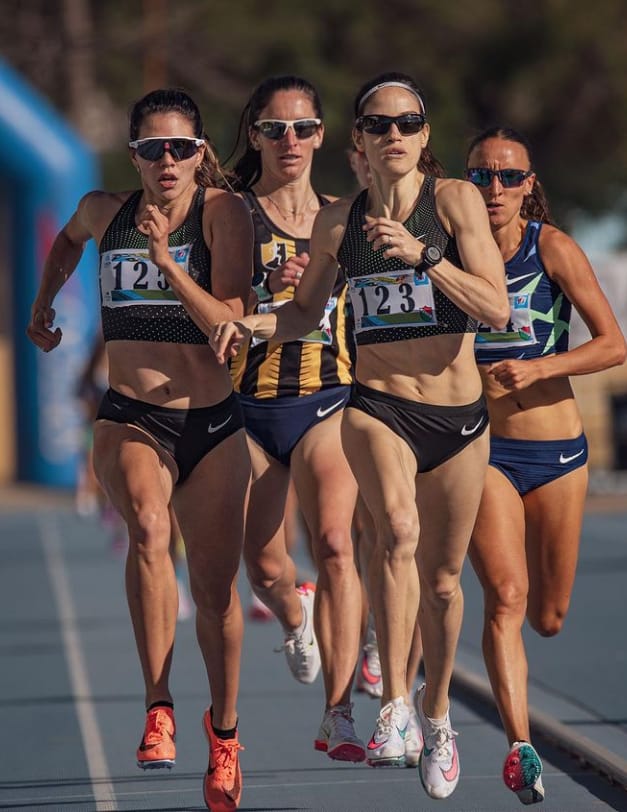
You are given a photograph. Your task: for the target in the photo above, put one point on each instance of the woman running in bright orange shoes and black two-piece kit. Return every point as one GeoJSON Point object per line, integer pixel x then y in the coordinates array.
{"type": "Point", "coordinates": [175, 257]}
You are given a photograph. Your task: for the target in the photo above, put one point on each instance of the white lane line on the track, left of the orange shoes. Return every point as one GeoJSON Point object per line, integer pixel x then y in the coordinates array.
{"type": "Point", "coordinates": [102, 787]}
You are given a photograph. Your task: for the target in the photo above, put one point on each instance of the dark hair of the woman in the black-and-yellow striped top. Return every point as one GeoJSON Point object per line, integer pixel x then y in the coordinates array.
{"type": "Point", "coordinates": [247, 169]}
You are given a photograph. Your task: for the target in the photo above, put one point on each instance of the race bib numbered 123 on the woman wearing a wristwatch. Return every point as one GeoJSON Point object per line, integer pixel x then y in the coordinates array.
{"type": "Point", "coordinates": [397, 299]}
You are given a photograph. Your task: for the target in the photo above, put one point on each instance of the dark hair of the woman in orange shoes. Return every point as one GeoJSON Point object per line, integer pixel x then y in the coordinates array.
{"type": "Point", "coordinates": [175, 100]}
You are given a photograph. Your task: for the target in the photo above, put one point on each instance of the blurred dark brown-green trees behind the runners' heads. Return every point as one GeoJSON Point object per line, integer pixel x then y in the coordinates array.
{"type": "Point", "coordinates": [554, 69]}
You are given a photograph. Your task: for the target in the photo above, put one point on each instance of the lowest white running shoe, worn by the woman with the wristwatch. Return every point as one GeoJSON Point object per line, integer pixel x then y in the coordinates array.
{"type": "Point", "coordinates": [439, 761]}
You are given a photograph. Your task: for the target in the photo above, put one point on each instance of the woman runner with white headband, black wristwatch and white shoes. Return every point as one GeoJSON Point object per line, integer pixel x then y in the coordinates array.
{"type": "Point", "coordinates": [422, 268]}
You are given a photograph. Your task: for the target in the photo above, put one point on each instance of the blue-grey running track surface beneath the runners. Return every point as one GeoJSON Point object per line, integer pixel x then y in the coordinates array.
{"type": "Point", "coordinates": [71, 702]}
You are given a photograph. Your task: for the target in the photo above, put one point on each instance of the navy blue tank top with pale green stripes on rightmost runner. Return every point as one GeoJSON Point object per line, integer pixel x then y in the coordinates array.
{"type": "Point", "coordinates": [539, 322]}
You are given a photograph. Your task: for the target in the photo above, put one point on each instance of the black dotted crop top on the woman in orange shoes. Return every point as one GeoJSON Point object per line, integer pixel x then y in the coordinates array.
{"type": "Point", "coordinates": [136, 302]}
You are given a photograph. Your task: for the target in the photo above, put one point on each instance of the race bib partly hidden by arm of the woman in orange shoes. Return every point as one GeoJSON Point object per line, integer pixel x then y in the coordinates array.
{"type": "Point", "coordinates": [128, 277]}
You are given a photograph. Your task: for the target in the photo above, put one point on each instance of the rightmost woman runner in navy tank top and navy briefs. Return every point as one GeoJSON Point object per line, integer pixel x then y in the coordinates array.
{"type": "Point", "coordinates": [525, 543]}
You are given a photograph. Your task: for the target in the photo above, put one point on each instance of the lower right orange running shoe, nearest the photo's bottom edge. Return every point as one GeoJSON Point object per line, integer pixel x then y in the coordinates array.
{"type": "Point", "coordinates": [222, 788]}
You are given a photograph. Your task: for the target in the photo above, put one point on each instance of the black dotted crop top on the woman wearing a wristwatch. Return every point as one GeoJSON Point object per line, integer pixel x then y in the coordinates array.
{"type": "Point", "coordinates": [391, 301]}
